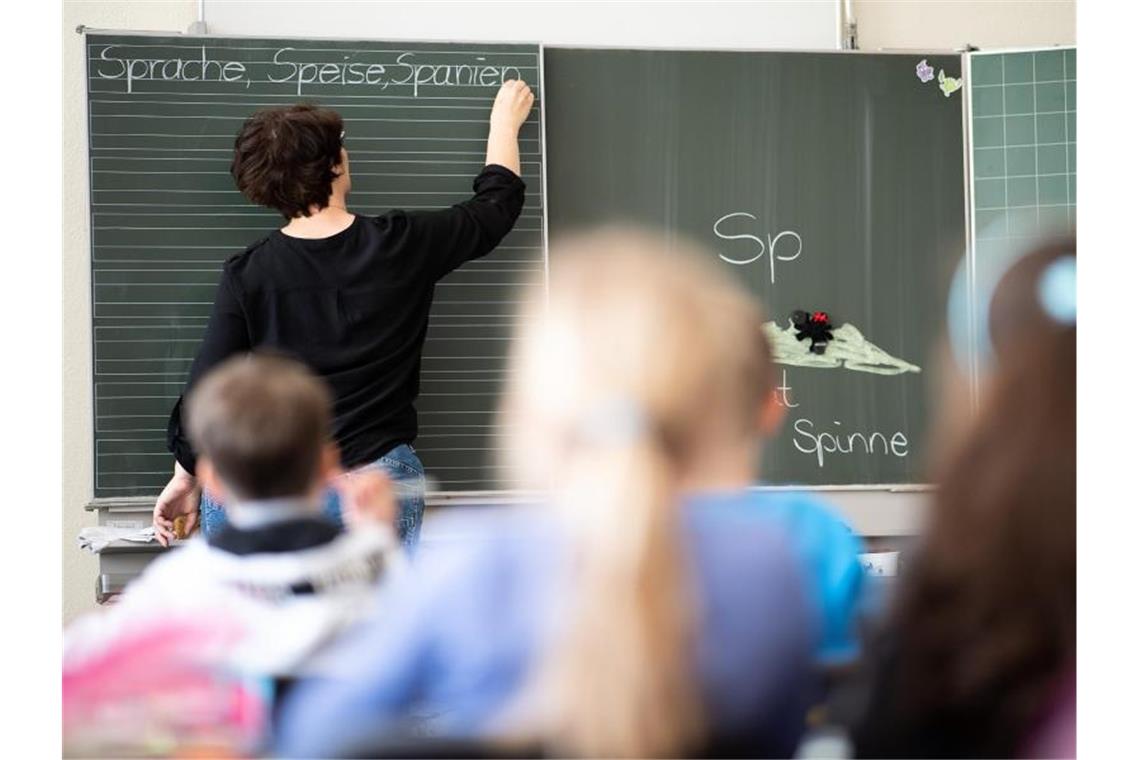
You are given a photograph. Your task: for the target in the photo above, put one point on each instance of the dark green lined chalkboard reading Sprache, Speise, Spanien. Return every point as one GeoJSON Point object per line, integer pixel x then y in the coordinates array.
{"type": "Point", "coordinates": [164, 112]}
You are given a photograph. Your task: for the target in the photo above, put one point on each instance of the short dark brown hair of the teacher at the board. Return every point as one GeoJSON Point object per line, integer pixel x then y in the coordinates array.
{"type": "Point", "coordinates": [286, 159]}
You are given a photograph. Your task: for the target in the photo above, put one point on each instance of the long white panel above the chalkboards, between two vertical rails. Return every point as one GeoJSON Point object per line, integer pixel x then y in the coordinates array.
{"type": "Point", "coordinates": [807, 24]}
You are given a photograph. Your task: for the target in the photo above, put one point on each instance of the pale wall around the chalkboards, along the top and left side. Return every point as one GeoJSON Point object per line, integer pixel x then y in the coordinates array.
{"type": "Point", "coordinates": [809, 24]}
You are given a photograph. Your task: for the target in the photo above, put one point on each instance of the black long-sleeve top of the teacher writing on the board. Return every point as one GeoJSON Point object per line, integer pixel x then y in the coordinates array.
{"type": "Point", "coordinates": [354, 307]}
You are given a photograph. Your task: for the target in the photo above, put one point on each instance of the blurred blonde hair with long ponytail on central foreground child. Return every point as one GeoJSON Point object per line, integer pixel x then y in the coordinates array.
{"type": "Point", "coordinates": [642, 354]}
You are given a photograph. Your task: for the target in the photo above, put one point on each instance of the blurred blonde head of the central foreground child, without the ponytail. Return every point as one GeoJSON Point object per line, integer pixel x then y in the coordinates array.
{"type": "Point", "coordinates": [641, 341]}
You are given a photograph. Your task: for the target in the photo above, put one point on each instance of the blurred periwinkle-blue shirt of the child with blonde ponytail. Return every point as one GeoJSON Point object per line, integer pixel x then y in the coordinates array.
{"type": "Point", "coordinates": [473, 622]}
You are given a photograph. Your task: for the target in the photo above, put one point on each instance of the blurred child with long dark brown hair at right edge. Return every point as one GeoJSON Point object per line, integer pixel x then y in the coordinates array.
{"type": "Point", "coordinates": [980, 659]}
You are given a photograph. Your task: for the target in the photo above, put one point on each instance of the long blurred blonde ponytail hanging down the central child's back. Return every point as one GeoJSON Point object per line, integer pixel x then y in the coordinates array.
{"type": "Point", "coordinates": [622, 677]}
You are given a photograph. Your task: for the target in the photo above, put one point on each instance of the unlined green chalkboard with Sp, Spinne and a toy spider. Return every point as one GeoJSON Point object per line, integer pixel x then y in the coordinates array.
{"type": "Point", "coordinates": [848, 167]}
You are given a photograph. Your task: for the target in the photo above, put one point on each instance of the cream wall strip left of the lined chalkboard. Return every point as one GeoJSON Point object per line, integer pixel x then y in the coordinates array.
{"type": "Point", "coordinates": [80, 568]}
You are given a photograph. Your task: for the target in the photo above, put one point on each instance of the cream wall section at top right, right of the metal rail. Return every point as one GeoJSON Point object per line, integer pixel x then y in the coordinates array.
{"type": "Point", "coordinates": [951, 24]}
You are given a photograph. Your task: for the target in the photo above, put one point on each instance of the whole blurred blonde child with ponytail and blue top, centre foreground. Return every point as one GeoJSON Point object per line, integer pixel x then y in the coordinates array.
{"type": "Point", "coordinates": [653, 606]}
